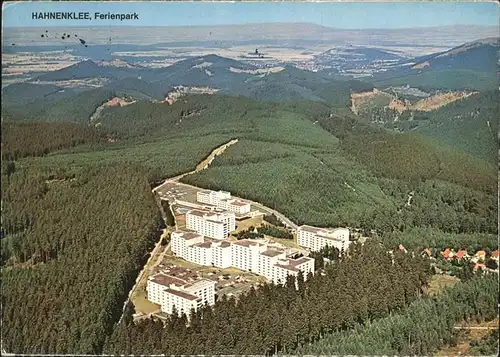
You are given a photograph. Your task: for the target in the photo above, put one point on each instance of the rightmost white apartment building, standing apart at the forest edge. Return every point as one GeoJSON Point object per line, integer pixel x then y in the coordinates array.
{"type": "Point", "coordinates": [316, 238]}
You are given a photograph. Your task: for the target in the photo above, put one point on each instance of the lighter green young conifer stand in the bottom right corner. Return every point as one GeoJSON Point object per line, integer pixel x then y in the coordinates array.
{"type": "Point", "coordinates": [419, 330]}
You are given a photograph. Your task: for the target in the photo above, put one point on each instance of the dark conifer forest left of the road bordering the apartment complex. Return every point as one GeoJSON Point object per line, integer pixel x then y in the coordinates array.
{"type": "Point", "coordinates": [72, 250]}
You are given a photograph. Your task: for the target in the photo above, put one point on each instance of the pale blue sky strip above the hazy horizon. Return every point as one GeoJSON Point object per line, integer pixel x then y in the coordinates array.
{"type": "Point", "coordinates": [335, 14]}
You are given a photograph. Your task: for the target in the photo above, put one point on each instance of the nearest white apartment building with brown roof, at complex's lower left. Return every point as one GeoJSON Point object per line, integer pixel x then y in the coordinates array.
{"type": "Point", "coordinates": [169, 292]}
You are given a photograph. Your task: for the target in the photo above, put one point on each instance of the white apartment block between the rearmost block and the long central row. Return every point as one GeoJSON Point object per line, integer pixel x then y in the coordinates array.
{"type": "Point", "coordinates": [216, 225]}
